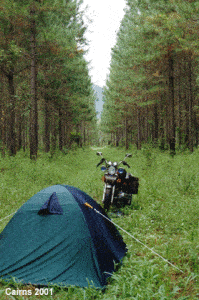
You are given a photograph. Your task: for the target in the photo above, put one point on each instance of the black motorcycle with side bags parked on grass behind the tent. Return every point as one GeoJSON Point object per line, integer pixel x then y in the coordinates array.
{"type": "Point", "coordinates": [119, 185]}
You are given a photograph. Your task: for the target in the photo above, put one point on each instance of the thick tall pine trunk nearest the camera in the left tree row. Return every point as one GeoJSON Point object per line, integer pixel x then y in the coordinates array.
{"type": "Point", "coordinates": [33, 110]}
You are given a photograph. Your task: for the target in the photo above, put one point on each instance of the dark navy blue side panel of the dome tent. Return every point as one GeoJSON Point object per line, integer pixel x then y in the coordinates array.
{"type": "Point", "coordinates": [106, 238]}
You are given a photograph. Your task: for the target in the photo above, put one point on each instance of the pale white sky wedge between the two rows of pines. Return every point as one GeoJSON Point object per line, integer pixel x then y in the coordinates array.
{"type": "Point", "coordinates": [106, 16]}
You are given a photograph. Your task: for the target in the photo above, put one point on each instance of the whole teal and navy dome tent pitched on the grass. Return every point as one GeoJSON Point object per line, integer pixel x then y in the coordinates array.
{"type": "Point", "coordinates": [55, 239]}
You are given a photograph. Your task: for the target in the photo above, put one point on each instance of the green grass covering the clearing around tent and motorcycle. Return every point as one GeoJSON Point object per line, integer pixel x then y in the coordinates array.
{"type": "Point", "coordinates": [164, 216]}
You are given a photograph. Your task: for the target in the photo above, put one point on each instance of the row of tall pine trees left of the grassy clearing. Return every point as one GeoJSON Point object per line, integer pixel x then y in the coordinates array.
{"type": "Point", "coordinates": [46, 98]}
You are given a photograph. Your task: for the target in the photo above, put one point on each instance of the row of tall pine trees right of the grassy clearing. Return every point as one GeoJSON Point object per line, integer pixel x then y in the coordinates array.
{"type": "Point", "coordinates": [152, 90]}
